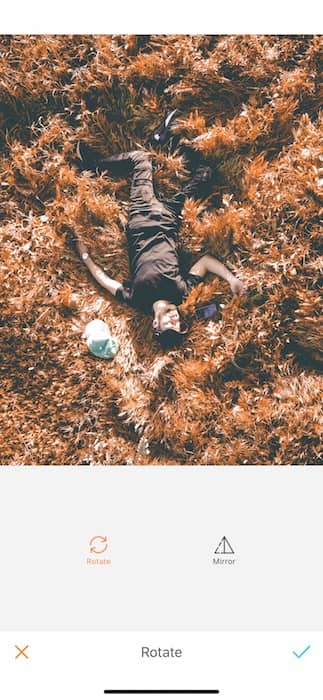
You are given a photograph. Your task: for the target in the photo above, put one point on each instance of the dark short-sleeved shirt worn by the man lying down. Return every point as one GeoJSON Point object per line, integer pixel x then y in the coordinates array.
{"type": "Point", "coordinates": [154, 265]}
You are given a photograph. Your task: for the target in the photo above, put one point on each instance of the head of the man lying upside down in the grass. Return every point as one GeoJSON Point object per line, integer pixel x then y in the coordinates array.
{"type": "Point", "coordinates": [167, 325]}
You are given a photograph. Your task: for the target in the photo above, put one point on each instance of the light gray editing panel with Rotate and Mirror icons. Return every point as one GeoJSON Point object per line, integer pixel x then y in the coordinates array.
{"type": "Point", "coordinates": [225, 548]}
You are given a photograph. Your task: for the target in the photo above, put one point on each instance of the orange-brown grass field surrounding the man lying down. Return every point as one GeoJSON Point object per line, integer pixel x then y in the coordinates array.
{"type": "Point", "coordinates": [244, 389]}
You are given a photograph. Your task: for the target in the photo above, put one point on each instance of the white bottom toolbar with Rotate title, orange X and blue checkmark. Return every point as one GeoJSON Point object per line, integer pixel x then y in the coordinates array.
{"type": "Point", "coordinates": [91, 665]}
